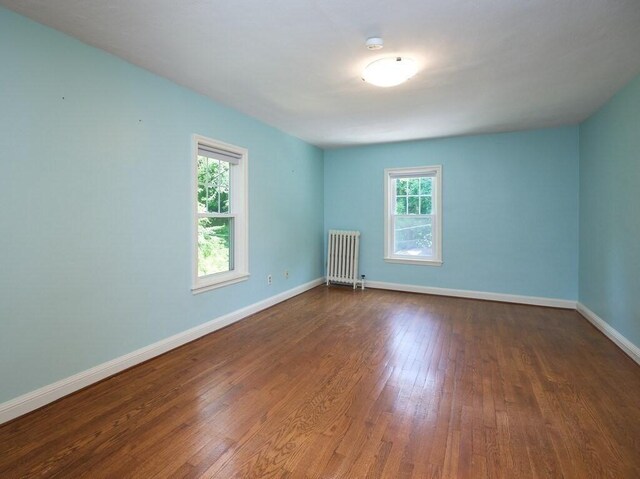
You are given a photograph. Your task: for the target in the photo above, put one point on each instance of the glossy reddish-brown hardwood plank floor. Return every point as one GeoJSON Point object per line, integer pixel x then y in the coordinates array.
{"type": "Point", "coordinates": [339, 383]}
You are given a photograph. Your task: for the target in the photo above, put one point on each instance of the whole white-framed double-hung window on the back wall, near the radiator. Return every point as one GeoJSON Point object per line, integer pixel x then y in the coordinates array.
{"type": "Point", "coordinates": [413, 215]}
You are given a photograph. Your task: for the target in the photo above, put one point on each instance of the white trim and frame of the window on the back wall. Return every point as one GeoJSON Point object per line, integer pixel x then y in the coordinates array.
{"type": "Point", "coordinates": [389, 173]}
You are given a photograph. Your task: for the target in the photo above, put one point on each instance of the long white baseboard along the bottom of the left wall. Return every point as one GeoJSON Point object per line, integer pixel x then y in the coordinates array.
{"type": "Point", "coordinates": [47, 394]}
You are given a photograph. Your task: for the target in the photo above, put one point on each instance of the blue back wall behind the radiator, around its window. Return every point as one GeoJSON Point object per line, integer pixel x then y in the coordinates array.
{"type": "Point", "coordinates": [510, 214]}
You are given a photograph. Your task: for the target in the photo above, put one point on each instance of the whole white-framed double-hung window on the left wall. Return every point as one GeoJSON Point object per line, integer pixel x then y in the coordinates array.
{"type": "Point", "coordinates": [220, 199]}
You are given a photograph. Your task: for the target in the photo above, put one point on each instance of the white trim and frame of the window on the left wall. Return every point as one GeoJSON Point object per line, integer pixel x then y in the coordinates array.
{"type": "Point", "coordinates": [240, 209]}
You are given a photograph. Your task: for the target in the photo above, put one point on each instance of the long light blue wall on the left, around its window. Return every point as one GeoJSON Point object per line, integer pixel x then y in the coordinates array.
{"type": "Point", "coordinates": [95, 207]}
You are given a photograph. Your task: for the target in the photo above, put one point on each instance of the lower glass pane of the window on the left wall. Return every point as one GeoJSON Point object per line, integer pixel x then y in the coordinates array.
{"type": "Point", "coordinates": [214, 235]}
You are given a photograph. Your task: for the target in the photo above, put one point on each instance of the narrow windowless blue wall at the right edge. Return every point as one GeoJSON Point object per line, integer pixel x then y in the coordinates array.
{"type": "Point", "coordinates": [610, 212]}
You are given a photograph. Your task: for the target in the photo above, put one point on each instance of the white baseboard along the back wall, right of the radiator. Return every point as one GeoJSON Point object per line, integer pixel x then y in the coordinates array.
{"type": "Point", "coordinates": [464, 293]}
